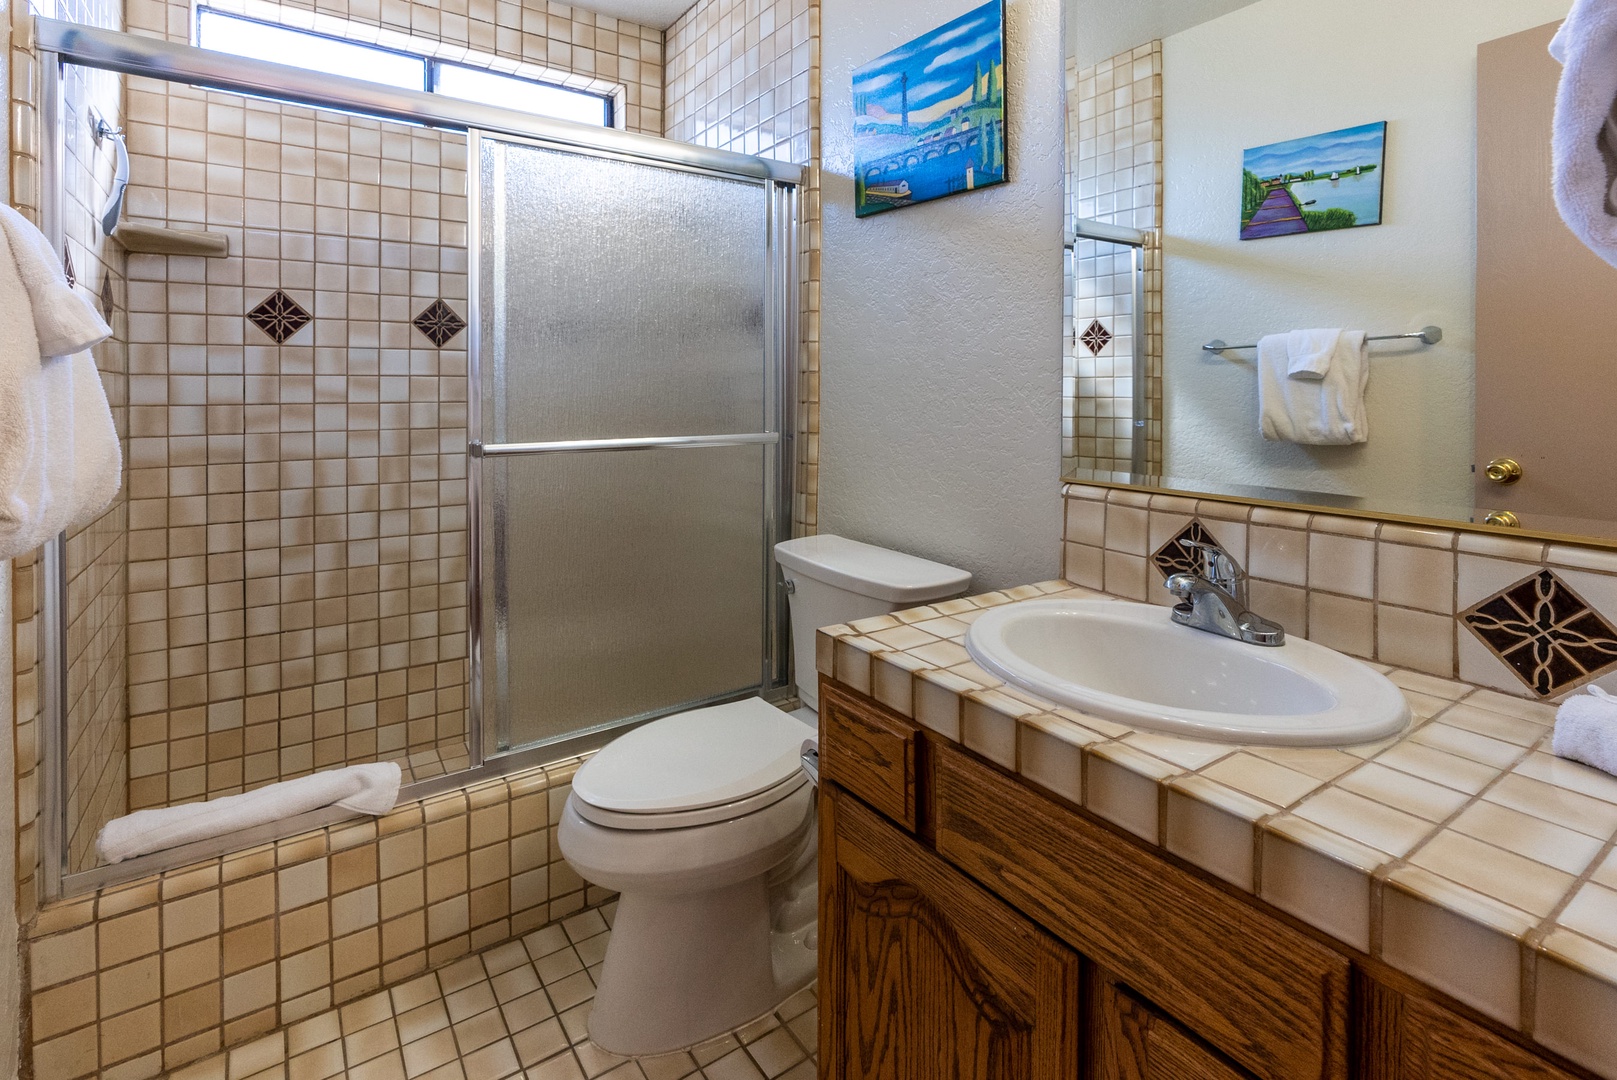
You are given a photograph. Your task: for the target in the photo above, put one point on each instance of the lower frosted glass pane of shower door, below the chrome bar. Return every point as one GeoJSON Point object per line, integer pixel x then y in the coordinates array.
{"type": "Point", "coordinates": [627, 584]}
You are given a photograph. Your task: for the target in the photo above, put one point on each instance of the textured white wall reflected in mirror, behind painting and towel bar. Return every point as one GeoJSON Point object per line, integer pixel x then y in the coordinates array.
{"type": "Point", "coordinates": [1286, 69]}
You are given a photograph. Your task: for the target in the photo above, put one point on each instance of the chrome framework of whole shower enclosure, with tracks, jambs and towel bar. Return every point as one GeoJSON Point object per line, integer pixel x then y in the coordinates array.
{"type": "Point", "coordinates": [59, 43]}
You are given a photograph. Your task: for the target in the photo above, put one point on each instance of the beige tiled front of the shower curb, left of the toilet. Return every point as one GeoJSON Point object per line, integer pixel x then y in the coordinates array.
{"type": "Point", "coordinates": [146, 977]}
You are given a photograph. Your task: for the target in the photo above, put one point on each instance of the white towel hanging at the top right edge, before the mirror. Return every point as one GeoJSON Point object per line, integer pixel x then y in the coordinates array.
{"type": "Point", "coordinates": [1585, 137]}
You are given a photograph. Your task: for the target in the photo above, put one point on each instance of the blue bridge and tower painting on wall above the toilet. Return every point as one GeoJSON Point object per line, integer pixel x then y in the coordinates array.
{"type": "Point", "coordinates": [931, 117]}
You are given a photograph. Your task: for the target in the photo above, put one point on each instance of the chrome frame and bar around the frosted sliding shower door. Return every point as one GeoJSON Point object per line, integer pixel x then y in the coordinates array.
{"type": "Point", "coordinates": [780, 390]}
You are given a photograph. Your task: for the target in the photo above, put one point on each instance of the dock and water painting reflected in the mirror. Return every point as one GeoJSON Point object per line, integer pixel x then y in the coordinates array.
{"type": "Point", "coordinates": [1314, 185]}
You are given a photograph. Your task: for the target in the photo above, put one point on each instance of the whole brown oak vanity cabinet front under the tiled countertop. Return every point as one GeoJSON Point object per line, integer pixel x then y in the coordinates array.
{"type": "Point", "coordinates": [977, 929]}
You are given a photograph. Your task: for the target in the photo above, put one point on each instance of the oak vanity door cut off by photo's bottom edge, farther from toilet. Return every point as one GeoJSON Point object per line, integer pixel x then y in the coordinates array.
{"type": "Point", "coordinates": [1129, 1040]}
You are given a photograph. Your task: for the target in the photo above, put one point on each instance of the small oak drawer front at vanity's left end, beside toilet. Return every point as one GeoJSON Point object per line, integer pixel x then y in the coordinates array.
{"type": "Point", "coordinates": [869, 751]}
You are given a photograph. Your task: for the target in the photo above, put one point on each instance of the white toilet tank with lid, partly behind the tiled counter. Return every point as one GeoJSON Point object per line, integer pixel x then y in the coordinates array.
{"type": "Point", "coordinates": [835, 580]}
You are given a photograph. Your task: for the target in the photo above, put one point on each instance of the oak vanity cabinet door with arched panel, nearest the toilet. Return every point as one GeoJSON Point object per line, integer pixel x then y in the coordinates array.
{"type": "Point", "coordinates": [927, 977]}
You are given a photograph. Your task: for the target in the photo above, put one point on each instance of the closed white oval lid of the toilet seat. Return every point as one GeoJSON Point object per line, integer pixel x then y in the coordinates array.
{"type": "Point", "coordinates": [691, 761]}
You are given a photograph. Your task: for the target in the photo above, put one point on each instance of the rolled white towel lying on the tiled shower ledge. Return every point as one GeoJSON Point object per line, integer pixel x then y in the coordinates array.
{"type": "Point", "coordinates": [361, 788]}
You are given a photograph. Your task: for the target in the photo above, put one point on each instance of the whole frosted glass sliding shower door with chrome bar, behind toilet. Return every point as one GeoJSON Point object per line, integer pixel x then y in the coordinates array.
{"type": "Point", "coordinates": [628, 415]}
